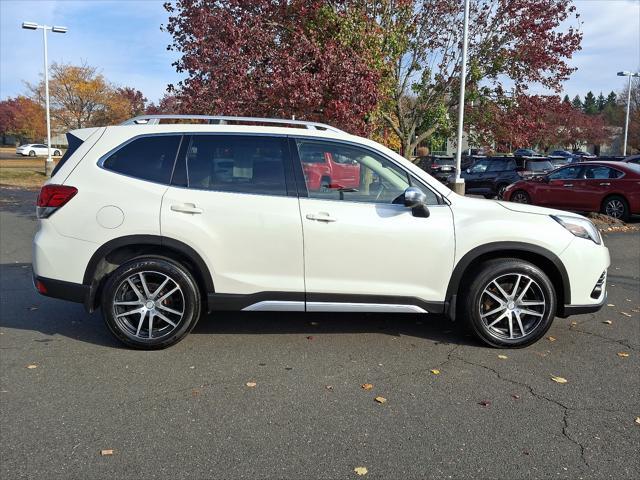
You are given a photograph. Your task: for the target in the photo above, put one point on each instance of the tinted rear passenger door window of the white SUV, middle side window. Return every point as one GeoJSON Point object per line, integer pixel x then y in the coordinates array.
{"type": "Point", "coordinates": [238, 163]}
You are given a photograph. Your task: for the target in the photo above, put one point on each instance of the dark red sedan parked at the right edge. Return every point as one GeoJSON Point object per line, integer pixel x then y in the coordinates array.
{"type": "Point", "coordinates": [612, 188]}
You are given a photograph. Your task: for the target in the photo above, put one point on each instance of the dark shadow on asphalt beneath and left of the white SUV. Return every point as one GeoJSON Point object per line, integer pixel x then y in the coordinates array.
{"type": "Point", "coordinates": [22, 308]}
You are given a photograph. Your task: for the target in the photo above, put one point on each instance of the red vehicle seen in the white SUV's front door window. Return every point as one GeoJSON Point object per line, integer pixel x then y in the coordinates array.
{"type": "Point", "coordinates": [328, 169]}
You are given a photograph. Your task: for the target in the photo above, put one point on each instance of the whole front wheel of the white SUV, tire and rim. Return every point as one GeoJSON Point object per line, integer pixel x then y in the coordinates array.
{"type": "Point", "coordinates": [498, 324]}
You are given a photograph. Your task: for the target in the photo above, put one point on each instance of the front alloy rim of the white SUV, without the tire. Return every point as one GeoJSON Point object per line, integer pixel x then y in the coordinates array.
{"type": "Point", "coordinates": [512, 306]}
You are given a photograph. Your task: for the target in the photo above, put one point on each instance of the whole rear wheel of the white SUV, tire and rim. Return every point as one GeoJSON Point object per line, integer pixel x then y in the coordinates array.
{"type": "Point", "coordinates": [173, 318]}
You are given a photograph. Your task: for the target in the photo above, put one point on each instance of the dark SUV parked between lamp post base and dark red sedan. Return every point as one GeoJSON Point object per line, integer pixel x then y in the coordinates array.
{"type": "Point", "coordinates": [491, 175]}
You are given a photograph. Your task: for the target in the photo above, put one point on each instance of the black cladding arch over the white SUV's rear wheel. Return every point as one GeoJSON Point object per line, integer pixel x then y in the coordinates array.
{"type": "Point", "coordinates": [119, 250]}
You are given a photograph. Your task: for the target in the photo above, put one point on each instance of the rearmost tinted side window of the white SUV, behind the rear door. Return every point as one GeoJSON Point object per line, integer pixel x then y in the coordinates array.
{"type": "Point", "coordinates": [147, 158]}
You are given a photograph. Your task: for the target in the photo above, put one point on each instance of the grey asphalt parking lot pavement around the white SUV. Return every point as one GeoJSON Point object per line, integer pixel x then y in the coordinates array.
{"type": "Point", "coordinates": [187, 412]}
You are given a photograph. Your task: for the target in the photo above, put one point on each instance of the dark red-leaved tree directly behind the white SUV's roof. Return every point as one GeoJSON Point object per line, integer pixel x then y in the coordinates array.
{"type": "Point", "coordinates": [273, 58]}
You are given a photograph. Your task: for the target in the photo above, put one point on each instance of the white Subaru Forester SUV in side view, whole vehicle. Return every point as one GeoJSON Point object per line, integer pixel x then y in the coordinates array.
{"type": "Point", "coordinates": [164, 218]}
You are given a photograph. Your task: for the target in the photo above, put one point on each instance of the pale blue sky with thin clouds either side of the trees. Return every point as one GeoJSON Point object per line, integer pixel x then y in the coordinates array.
{"type": "Point", "coordinates": [123, 39]}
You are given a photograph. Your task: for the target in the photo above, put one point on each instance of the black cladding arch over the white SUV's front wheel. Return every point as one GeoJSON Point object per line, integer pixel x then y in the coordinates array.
{"type": "Point", "coordinates": [546, 260]}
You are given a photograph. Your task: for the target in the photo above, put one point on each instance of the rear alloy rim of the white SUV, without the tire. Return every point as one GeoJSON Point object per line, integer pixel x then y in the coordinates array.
{"type": "Point", "coordinates": [148, 305]}
